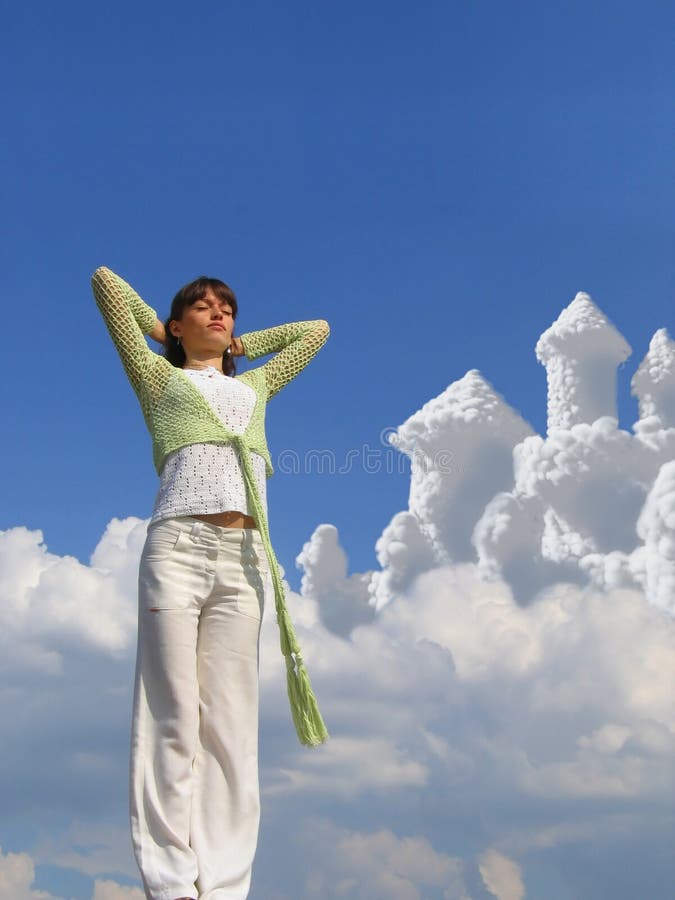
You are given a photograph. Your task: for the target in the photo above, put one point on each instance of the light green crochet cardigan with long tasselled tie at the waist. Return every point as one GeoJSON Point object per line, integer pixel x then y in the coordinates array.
{"type": "Point", "coordinates": [176, 413]}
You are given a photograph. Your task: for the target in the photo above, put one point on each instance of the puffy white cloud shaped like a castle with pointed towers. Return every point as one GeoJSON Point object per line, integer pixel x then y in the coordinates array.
{"type": "Point", "coordinates": [576, 505]}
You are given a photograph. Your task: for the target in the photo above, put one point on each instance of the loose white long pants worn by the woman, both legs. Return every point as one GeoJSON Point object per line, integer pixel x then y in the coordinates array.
{"type": "Point", "coordinates": [194, 795]}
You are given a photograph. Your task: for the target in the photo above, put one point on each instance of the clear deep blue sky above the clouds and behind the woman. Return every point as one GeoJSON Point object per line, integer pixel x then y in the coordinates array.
{"type": "Point", "coordinates": [437, 180]}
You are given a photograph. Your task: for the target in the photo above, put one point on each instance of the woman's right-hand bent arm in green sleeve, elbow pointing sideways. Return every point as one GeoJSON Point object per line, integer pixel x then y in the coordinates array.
{"type": "Point", "coordinates": [295, 344]}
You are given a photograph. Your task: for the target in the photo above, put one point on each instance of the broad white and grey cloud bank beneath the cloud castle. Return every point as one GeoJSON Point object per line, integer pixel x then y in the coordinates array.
{"type": "Point", "coordinates": [465, 715]}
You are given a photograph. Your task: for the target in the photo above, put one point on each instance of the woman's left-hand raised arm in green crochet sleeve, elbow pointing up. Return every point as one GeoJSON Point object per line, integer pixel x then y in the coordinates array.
{"type": "Point", "coordinates": [128, 318]}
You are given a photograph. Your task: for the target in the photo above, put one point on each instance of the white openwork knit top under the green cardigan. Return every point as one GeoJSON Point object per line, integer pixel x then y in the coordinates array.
{"type": "Point", "coordinates": [207, 478]}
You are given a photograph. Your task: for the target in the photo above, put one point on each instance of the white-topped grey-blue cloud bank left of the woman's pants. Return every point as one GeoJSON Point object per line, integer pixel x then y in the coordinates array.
{"type": "Point", "coordinates": [67, 642]}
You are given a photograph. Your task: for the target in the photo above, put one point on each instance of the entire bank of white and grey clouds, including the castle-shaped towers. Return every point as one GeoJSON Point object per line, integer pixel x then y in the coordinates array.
{"type": "Point", "coordinates": [499, 692]}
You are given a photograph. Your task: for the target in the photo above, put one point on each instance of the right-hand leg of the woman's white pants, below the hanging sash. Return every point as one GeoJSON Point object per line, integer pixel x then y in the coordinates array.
{"type": "Point", "coordinates": [226, 799]}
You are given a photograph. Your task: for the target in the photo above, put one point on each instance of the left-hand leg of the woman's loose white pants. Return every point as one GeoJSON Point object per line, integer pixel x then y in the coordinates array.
{"type": "Point", "coordinates": [165, 726]}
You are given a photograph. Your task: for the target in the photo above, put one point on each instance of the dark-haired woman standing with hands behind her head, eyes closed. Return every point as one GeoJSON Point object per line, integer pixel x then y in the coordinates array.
{"type": "Point", "coordinates": [194, 796]}
